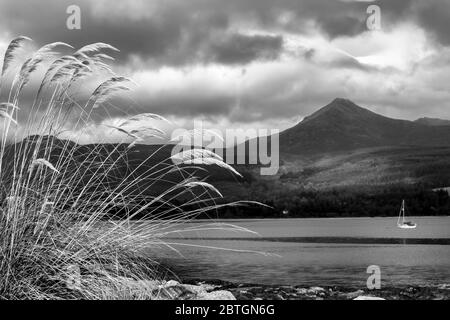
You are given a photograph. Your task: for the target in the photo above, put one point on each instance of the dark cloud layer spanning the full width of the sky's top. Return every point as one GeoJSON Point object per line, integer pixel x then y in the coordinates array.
{"type": "Point", "coordinates": [184, 32]}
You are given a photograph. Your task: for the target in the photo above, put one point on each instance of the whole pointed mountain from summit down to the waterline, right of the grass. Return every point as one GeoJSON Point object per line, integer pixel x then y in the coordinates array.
{"type": "Point", "coordinates": [344, 160]}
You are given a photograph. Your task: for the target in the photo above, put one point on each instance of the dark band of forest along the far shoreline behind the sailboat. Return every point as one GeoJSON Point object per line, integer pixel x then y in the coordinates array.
{"type": "Point", "coordinates": [356, 201]}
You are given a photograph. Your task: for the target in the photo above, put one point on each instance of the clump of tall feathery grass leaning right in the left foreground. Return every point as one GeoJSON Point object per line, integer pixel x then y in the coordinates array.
{"type": "Point", "coordinates": [56, 195]}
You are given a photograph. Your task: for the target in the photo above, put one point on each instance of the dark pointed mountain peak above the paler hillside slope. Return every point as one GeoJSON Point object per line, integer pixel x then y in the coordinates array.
{"type": "Point", "coordinates": [342, 125]}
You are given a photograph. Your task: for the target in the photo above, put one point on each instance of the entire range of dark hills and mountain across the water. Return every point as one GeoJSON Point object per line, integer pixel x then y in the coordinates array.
{"type": "Point", "coordinates": [341, 160]}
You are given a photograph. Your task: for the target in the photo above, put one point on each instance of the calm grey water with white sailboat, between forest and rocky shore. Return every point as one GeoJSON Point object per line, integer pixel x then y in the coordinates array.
{"type": "Point", "coordinates": [315, 252]}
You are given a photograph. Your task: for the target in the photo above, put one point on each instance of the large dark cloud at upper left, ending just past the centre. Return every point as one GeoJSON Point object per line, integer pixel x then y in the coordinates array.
{"type": "Point", "coordinates": [174, 34]}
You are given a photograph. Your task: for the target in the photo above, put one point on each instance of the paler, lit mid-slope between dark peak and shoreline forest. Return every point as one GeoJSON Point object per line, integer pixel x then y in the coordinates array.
{"type": "Point", "coordinates": [374, 167]}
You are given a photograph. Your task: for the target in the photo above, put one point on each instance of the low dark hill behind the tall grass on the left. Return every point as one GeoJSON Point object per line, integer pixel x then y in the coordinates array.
{"type": "Point", "coordinates": [150, 166]}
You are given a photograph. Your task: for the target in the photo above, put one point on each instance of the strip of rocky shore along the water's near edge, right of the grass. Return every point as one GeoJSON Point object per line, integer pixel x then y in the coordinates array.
{"type": "Point", "coordinates": [221, 290]}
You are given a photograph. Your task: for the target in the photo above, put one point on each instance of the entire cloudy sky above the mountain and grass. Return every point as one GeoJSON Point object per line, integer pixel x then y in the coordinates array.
{"type": "Point", "coordinates": [259, 63]}
